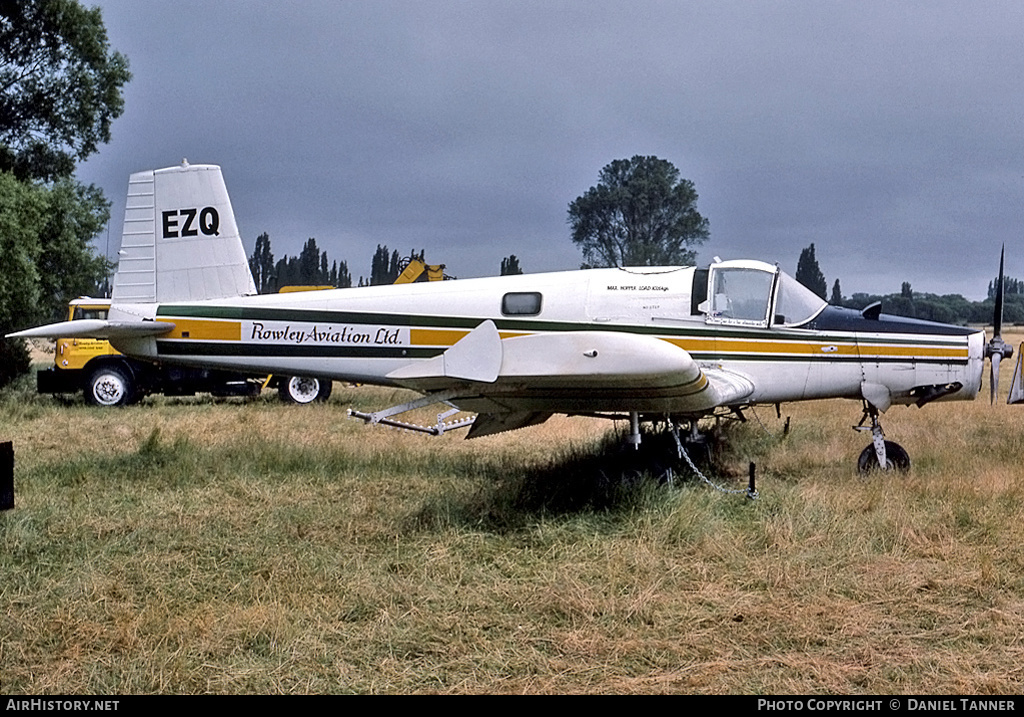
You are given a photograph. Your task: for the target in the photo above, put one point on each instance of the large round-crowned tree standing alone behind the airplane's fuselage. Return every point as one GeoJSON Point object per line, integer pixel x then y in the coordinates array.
{"type": "Point", "coordinates": [641, 214]}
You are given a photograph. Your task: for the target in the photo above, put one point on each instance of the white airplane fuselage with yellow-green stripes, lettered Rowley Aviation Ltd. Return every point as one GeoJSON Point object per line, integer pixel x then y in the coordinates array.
{"type": "Point", "coordinates": [738, 319]}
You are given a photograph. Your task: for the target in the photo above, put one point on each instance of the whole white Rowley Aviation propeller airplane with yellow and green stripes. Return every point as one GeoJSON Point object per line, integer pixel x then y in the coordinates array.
{"type": "Point", "coordinates": [675, 344]}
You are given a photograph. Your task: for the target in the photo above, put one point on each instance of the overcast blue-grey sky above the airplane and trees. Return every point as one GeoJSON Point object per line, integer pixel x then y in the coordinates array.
{"type": "Point", "coordinates": [890, 135]}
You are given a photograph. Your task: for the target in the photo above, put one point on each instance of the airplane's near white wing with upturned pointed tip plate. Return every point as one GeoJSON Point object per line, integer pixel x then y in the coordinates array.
{"type": "Point", "coordinates": [521, 381]}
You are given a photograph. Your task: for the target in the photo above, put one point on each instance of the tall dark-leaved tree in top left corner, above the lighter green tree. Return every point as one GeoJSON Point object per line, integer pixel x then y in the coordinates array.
{"type": "Point", "coordinates": [60, 87]}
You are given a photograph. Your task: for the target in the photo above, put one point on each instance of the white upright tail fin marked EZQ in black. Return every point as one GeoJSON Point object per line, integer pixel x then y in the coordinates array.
{"type": "Point", "coordinates": [181, 242]}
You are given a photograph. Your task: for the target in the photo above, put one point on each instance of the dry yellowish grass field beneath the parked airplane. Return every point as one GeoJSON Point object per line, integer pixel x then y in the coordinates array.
{"type": "Point", "coordinates": [192, 546]}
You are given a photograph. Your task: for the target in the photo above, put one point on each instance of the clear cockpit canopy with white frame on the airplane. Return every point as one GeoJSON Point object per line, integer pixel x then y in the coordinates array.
{"type": "Point", "coordinates": [753, 293]}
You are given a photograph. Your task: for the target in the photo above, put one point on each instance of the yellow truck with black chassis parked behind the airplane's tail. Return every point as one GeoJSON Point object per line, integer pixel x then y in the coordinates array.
{"type": "Point", "coordinates": [109, 378]}
